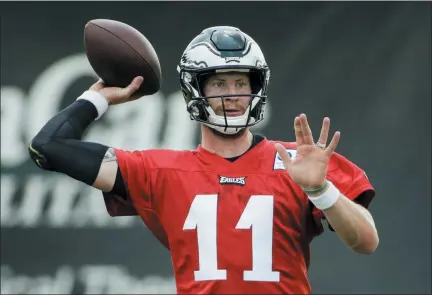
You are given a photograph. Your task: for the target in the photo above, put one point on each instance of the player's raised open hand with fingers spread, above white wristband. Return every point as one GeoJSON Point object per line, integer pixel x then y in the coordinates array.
{"type": "Point", "coordinates": [309, 168]}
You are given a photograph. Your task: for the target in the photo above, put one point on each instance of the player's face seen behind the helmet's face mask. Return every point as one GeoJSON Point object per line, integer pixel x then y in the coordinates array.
{"type": "Point", "coordinates": [228, 84]}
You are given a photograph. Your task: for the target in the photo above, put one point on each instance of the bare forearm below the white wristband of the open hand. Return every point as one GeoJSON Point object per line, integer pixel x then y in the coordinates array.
{"type": "Point", "coordinates": [354, 224]}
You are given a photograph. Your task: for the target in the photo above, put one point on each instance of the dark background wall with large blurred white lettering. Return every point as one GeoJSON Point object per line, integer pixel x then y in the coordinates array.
{"type": "Point", "coordinates": [365, 65]}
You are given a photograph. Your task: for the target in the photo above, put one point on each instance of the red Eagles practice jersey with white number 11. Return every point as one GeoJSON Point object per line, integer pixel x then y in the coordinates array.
{"type": "Point", "coordinates": [231, 227]}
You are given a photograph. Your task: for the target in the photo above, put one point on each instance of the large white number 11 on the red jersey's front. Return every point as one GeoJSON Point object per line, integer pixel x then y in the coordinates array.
{"type": "Point", "coordinates": [257, 215]}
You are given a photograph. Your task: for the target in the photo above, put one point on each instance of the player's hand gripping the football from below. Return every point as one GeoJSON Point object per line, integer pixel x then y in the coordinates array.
{"type": "Point", "coordinates": [118, 95]}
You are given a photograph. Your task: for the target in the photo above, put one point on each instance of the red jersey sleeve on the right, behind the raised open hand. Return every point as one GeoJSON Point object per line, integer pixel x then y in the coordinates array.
{"type": "Point", "coordinates": [351, 181]}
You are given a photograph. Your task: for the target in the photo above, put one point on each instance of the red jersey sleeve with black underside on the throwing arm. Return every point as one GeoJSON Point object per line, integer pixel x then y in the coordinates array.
{"type": "Point", "coordinates": [135, 167]}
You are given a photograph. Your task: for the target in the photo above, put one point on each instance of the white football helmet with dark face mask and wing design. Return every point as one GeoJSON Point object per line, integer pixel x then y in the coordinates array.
{"type": "Point", "coordinates": [216, 50]}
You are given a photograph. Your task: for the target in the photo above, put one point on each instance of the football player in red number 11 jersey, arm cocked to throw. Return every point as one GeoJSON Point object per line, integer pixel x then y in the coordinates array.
{"type": "Point", "coordinates": [239, 212]}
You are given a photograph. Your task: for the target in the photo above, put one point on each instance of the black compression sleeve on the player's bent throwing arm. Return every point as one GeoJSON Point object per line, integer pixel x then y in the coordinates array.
{"type": "Point", "coordinates": [58, 146]}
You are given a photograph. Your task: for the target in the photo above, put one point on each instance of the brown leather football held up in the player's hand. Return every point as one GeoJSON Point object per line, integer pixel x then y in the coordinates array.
{"type": "Point", "coordinates": [118, 53]}
